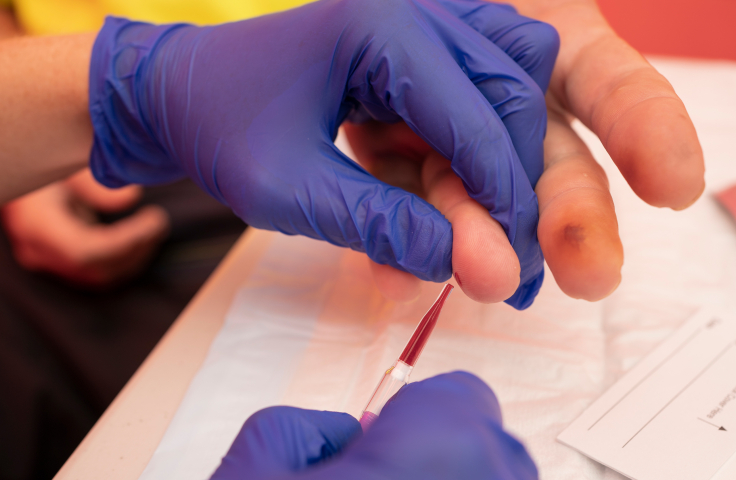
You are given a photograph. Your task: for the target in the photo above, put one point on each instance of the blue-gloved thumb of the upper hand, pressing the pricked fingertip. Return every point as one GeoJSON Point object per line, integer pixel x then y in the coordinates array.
{"type": "Point", "coordinates": [337, 200]}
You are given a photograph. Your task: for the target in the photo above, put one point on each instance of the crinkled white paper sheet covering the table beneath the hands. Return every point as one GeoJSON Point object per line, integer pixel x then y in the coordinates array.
{"type": "Point", "coordinates": [309, 329]}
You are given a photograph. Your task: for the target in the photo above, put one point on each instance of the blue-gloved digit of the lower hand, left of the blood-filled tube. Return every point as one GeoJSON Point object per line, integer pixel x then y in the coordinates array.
{"type": "Point", "coordinates": [277, 440]}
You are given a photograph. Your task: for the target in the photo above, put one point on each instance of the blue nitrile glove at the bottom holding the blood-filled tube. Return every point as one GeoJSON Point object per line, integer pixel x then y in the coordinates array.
{"type": "Point", "coordinates": [447, 426]}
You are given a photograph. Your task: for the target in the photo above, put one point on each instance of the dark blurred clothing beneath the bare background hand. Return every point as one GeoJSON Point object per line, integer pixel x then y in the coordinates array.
{"type": "Point", "coordinates": [65, 352]}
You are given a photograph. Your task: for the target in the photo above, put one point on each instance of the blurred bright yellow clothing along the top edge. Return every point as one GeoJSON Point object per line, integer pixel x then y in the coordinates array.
{"type": "Point", "coordinates": [70, 16]}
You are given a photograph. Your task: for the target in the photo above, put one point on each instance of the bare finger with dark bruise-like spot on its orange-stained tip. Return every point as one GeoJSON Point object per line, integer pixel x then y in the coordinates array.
{"type": "Point", "coordinates": [577, 229]}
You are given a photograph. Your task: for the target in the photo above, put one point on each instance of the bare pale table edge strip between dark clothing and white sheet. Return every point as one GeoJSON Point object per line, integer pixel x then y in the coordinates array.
{"type": "Point", "coordinates": [123, 440]}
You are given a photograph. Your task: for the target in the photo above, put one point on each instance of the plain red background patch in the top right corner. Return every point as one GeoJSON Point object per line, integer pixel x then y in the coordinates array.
{"type": "Point", "coordinates": [704, 29]}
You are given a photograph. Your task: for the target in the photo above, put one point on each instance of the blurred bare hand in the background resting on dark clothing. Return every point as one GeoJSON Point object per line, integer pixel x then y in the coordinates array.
{"type": "Point", "coordinates": [55, 229]}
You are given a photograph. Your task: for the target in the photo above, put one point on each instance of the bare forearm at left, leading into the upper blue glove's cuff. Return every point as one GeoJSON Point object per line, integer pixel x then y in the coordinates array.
{"type": "Point", "coordinates": [45, 129]}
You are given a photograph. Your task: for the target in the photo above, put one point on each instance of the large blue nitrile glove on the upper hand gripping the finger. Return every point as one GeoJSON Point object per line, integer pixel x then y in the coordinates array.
{"type": "Point", "coordinates": [250, 110]}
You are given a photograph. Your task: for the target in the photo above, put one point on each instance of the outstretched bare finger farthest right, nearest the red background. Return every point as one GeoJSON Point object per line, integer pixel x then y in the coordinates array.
{"type": "Point", "coordinates": [632, 108]}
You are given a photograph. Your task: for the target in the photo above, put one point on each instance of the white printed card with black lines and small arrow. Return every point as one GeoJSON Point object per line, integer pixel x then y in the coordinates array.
{"type": "Point", "coordinates": [673, 416]}
